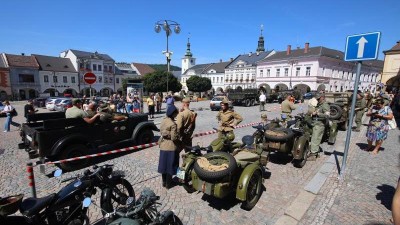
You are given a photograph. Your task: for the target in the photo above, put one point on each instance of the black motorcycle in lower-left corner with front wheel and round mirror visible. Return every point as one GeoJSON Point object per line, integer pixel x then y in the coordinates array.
{"type": "Point", "coordinates": [65, 207]}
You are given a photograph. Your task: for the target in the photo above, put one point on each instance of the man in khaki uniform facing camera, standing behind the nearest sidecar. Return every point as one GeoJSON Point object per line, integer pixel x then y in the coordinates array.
{"type": "Point", "coordinates": [227, 119]}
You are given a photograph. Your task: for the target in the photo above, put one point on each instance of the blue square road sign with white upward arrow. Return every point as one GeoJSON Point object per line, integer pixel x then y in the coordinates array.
{"type": "Point", "coordinates": [362, 46]}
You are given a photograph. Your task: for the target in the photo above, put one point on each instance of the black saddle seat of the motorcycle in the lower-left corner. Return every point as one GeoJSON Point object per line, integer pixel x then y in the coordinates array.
{"type": "Point", "coordinates": [32, 206]}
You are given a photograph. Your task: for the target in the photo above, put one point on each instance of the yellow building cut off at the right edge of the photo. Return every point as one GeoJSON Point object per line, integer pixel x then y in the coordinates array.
{"type": "Point", "coordinates": [391, 68]}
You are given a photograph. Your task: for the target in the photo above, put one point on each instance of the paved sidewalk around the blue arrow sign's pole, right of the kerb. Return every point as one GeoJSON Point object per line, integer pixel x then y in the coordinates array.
{"type": "Point", "coordinates": [365, 196]}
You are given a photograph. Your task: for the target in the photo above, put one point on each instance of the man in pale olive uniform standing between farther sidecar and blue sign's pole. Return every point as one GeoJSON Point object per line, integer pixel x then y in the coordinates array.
{"type": "Point", "coordinates": [319, 115]}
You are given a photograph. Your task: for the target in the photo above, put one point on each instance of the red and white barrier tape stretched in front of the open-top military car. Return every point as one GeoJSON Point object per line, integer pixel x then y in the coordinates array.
{"type": "Point", "coordinates": [134, 147]}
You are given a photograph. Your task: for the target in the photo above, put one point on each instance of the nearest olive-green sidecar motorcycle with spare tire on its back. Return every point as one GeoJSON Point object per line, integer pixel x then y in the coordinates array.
{"type": "Point", "coordinates": [220, 173]}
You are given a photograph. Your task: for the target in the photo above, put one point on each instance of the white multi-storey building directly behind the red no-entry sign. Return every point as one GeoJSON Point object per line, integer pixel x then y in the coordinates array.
{"type": "Point", "coordinates": [102, 65]}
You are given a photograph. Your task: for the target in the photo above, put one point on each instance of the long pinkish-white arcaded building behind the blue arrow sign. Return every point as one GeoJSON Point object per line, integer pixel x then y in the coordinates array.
{"type": "Point", "coordinates": [316, 68]}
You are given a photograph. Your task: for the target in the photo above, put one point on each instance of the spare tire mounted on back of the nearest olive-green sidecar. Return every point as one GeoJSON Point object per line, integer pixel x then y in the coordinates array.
{"type": "Point", "coordinates": [216, 158]}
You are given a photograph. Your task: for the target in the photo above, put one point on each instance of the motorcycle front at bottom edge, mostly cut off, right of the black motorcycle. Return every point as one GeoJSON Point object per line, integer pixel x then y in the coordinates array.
{"type": "Point", "coordinates": [143, 211]}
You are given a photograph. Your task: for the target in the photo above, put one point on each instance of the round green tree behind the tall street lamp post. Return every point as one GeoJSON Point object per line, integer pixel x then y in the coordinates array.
{"type": "Point", "coordinates": [157, 82]}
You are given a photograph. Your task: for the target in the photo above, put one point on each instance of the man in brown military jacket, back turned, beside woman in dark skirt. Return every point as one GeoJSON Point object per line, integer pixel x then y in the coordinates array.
{"type": "Point", "coordinates": [186, 123]}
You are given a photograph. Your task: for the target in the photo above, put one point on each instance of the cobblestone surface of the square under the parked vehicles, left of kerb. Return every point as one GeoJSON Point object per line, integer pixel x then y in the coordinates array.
{"type": "Point", "coordinates": [281, 187]}
